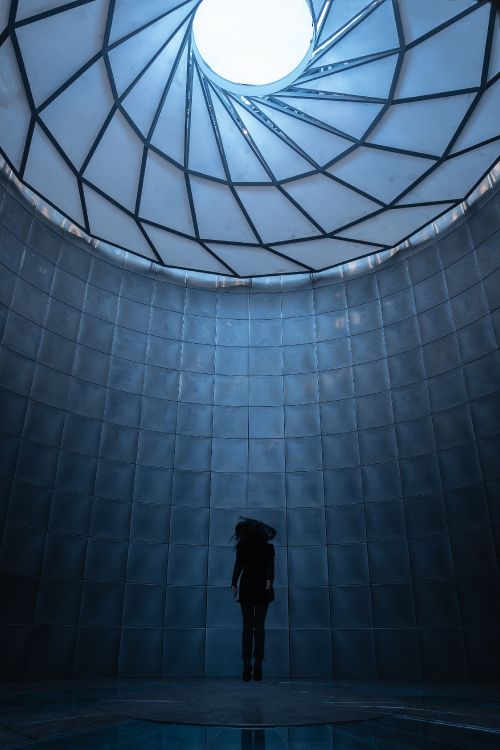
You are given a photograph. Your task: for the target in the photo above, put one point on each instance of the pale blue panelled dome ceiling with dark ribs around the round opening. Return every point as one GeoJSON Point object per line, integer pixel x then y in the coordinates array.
{"type": "Point", "coordinates": [107, 112]}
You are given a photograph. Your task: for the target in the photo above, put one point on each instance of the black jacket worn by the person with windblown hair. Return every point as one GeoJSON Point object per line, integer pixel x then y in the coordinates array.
{"type": "Point", "coordinates": [255, 563]}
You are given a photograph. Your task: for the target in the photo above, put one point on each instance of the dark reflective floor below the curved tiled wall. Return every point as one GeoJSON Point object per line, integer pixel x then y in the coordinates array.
{"type": "Point", "coordinates": [227, 714]}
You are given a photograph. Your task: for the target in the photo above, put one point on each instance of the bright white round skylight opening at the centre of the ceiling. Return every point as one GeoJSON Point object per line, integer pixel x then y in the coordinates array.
{"type": "Point", "coordinates": [253, 42]}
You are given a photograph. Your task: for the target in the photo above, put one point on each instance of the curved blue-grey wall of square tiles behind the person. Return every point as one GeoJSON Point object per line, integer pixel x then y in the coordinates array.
{"type": "Point", "coordinates": [141, 415]}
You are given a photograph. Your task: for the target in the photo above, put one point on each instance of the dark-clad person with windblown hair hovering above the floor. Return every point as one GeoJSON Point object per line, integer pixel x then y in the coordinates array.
{"type": "Point", "coordinates": [255, 563]}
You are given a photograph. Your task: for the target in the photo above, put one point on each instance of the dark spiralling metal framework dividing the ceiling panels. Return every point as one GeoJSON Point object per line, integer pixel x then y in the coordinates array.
{"type": "Point", "coordinates": [212, 92]}
